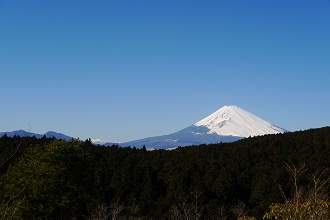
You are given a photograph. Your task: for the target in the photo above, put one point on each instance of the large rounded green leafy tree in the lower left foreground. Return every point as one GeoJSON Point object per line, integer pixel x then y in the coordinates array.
{"type": "Point", "coordinates": [53, 181]}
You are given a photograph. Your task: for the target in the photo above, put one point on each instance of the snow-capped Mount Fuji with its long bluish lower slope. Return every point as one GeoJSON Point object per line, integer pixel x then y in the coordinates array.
{"type": "Point", "coordinates": [228, 124]}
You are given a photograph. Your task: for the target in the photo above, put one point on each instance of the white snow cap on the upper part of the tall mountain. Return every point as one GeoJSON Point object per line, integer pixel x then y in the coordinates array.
{"type": "Point", "coordinates": [234, 121]}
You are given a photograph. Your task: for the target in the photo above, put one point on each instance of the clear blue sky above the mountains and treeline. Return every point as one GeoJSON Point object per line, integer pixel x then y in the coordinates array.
{"type": "Point", "coordinates": [122, 70]}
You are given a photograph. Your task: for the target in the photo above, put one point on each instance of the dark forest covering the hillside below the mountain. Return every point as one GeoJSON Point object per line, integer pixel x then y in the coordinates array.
{"type": "Point", "coordinates": [282, 176]}
